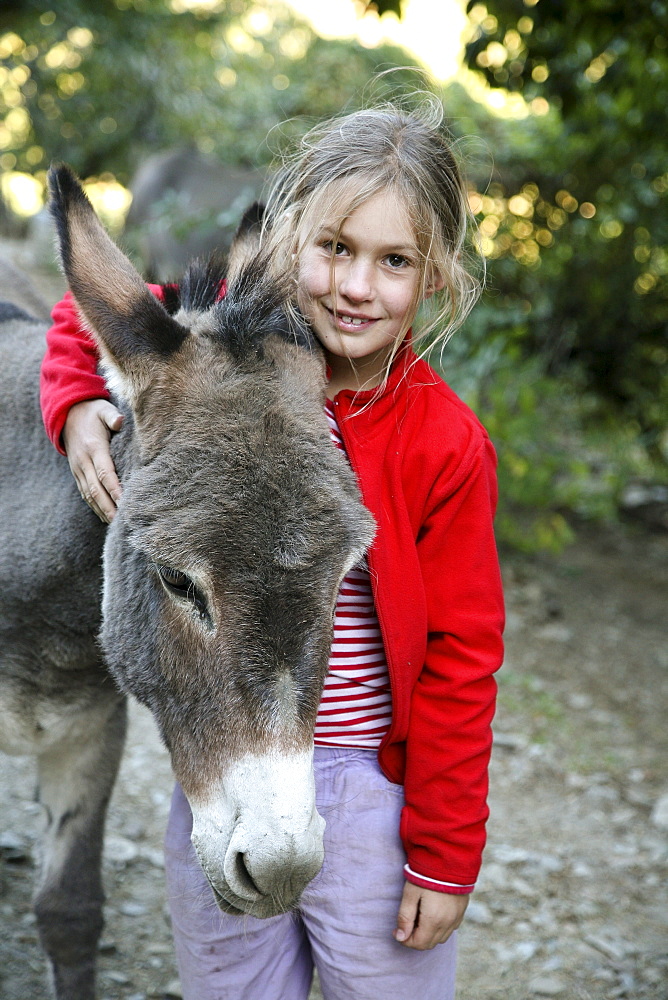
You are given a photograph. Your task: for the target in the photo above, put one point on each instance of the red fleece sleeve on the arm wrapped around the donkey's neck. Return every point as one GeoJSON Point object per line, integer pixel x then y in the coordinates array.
{"type": "Point", "coordinates": [69, 372]}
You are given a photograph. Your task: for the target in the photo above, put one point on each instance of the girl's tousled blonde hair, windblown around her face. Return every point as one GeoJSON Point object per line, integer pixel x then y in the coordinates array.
{"type": "Point", "coordinates": [342, 162]}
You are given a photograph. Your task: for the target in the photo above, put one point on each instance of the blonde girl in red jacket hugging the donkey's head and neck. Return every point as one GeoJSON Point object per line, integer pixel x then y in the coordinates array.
{"type": "Point", "coordinates": [371, 217]}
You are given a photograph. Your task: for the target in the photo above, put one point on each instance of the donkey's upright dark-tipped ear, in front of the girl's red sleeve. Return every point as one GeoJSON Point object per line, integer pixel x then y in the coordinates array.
{"type": "Point", "coordinates": [129, 323]}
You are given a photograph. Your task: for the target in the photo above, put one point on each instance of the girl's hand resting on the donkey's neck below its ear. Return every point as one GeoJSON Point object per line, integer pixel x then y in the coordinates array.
{"type": "Point", "coordinates": [86, 437]}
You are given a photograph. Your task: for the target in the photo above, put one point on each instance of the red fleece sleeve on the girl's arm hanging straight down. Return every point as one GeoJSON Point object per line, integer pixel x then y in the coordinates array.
{"type": "Point", "coordinates": [449, 739]}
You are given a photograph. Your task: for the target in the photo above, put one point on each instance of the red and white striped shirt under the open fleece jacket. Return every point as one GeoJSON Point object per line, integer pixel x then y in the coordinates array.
{"type": "Point", "coordinates": [356, 705]}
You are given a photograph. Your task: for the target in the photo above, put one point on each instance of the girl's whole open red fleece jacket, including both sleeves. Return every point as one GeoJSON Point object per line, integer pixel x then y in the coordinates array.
{"type": "Point", "coordinates": [426, 469]}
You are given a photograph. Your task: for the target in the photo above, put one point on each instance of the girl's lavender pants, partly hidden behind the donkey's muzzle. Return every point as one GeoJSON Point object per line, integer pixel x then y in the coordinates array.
{"type": "Point", "coordinates": [345, 918]}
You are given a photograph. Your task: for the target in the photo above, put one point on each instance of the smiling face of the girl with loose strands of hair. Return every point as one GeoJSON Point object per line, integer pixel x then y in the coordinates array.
{"type": "Point", "coordinates": [363, 300]}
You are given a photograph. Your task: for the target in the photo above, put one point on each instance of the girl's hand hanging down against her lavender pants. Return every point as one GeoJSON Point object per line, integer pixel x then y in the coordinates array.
{"type": "Point", "coordinates": [428, 918]}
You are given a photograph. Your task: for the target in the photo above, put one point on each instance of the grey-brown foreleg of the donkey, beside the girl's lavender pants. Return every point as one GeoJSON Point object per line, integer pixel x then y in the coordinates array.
{"type": "Point", "coordinates": [76, 778]}
